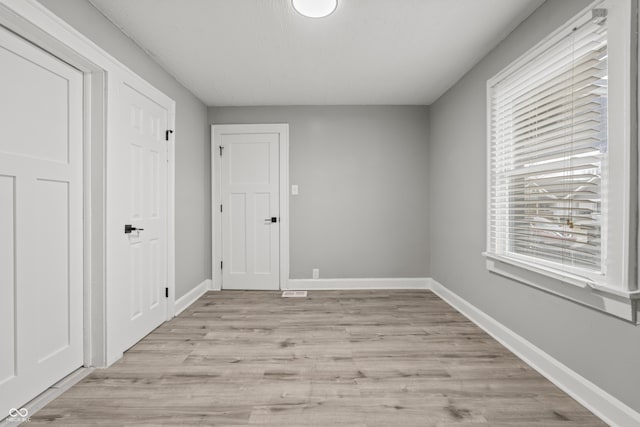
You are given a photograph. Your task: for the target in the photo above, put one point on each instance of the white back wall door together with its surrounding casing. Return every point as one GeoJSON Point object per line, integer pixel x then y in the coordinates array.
{"type": "Point", "coordinates": [251, 172]}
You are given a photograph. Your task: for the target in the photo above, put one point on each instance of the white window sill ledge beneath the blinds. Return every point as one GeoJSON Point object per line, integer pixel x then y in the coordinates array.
{"type": "Point", "coordinates": [615, 302]}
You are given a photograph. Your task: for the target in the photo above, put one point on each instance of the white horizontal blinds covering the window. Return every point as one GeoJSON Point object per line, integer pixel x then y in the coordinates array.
{"type": "Point", "coordinates": [548, 153]}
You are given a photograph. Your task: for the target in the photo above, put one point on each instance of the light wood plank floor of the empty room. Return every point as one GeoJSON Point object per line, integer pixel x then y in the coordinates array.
{"type": "Point", "coordinates": [358, 358]}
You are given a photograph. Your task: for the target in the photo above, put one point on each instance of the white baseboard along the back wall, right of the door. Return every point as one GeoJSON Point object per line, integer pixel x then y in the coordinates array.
{"type": "Point", "coordinates": [346, 284]}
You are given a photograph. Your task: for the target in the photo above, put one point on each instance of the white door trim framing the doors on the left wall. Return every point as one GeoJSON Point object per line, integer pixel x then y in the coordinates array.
{"type": "Point", "coordinates": [35, 23]}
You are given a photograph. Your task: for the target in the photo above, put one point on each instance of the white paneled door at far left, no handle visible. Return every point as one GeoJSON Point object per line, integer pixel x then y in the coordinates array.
{"type": "Point", "coordinates": [41, 221]}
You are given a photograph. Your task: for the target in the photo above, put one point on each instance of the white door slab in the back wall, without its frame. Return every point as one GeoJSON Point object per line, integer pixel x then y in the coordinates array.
{"type": "Point", "coordinates": [250, 214]}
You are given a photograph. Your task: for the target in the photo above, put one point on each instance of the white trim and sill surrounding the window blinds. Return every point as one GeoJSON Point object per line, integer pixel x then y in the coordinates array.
{"type": "Point", "coordinates": [622, 298]}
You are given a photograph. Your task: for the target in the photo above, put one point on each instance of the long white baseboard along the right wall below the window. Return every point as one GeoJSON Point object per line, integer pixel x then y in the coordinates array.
{"type": "Point", "coordinates": [607, 407]}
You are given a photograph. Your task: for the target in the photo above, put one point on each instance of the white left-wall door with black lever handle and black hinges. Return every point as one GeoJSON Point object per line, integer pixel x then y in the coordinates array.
{"type": "Point", "coordinates": [137, 269]}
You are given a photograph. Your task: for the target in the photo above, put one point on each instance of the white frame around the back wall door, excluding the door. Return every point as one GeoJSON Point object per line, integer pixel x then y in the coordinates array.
{"type": "Point", "coordinates": [282, 129]}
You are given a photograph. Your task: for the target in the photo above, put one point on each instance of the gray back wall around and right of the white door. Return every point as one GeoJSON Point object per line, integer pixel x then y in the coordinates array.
{"type": "Point", "coordinates": [363, 179]}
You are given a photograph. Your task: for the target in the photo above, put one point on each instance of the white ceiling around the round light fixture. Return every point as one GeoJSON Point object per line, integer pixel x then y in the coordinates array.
{"type": "Point", "coordinates": [261, 52]}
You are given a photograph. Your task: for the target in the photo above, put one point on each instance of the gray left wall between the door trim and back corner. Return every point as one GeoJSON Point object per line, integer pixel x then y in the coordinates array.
{"type": "Point", "coordinates": [193, 188]}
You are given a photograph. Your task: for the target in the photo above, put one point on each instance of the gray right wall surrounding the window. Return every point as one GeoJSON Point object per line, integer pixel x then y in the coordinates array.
{"type": "Point", "coordinates": [603, 349]}
